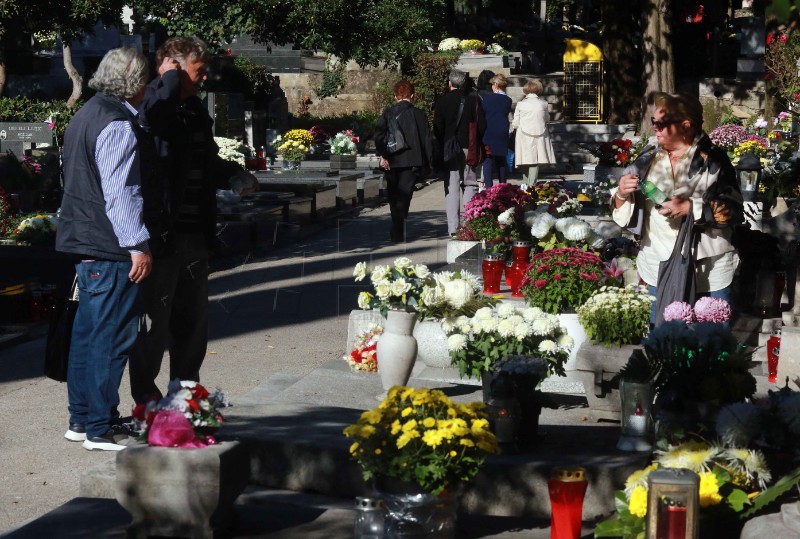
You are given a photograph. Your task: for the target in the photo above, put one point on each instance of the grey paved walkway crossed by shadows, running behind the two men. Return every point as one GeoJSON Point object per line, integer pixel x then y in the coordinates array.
{"type": "Point", "coordinates": [283, 312]}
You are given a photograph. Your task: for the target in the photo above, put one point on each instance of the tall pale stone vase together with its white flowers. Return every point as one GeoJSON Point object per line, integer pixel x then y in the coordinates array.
{"type": "Point", "coordinates": [398, 296]}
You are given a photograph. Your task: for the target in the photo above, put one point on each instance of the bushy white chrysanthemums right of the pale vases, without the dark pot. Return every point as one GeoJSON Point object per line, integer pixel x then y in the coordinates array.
{"type": "Point", "coordinates": [476, 343]}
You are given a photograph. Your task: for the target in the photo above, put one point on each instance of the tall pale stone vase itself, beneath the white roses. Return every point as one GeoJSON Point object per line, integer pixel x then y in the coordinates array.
{"type": "Point", "coordinates": [397, 349]}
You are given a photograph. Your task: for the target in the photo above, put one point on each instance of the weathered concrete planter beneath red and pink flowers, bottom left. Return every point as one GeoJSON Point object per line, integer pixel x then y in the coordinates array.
{"type": "Point", "coordinates": [174, 492]}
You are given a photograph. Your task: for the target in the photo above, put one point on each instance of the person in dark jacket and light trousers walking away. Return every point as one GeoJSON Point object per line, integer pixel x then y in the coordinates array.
{"type": "Point", "coordinates": [447, 124]}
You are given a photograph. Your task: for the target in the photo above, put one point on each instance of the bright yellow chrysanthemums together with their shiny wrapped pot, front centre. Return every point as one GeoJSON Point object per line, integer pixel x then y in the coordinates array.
{"type": "Point", "coordinates": [418, 446]}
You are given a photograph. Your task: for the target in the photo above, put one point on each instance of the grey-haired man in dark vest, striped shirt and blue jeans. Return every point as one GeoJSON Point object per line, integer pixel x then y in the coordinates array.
{"type": "Point", "coordinates": [102, 223]}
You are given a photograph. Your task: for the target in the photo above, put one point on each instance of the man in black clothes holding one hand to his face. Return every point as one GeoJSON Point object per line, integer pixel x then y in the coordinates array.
{"type": "Point", "coordinates": [175, 297]}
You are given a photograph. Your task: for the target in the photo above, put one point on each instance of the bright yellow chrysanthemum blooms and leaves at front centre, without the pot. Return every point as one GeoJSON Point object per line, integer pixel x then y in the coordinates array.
{"type": "Point", "coordinates": [422, 436]}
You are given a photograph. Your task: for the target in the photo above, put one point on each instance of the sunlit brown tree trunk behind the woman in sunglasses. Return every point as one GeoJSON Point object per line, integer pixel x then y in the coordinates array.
{"type": "Point", "coordinates": [659, 66]}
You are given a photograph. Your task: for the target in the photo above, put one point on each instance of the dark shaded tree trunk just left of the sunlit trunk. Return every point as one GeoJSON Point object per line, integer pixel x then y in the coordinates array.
{"type": "Point", "coordinates": [622, 60]}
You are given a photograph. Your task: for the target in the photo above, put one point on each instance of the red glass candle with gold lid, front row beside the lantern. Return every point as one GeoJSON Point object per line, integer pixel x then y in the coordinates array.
{"type": "Point", "coordinates": [567, 487]}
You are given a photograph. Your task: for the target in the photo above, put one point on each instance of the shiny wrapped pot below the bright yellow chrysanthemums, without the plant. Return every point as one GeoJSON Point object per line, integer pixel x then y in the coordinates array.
{"type": "Point", "coordinates": [412, 512]}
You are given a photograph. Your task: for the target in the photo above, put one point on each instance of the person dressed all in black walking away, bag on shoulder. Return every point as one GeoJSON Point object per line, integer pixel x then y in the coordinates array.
{"type": "Point", "coordinates": [404, 168]}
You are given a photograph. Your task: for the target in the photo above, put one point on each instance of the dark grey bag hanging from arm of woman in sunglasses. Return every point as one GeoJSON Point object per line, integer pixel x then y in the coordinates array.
{"type": "Point", "coordinates": [676, 278]}
